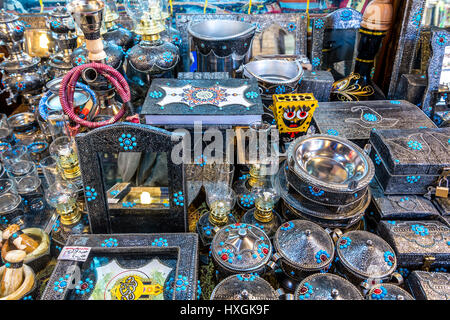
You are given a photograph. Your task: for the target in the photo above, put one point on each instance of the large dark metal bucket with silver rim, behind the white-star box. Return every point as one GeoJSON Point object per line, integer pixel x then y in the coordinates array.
{"type": "Point", "coordinates": [221, 45]}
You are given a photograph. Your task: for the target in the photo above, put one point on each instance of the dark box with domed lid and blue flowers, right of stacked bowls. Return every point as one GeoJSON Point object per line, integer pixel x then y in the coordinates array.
{"type": "Point", "coordinates": [407, 161]}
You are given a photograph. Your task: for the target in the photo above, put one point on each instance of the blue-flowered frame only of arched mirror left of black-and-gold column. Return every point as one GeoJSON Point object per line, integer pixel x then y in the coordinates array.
{"type": "Point", "coordinates": [345, 18]}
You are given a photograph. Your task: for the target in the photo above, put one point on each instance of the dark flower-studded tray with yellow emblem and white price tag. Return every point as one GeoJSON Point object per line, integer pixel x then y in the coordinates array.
{"type": "Point", "coordinates": [127, 267]}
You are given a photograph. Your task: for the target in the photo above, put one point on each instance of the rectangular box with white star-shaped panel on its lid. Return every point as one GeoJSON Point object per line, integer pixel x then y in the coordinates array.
{"type": "Point", "coordinates": [213, 102]}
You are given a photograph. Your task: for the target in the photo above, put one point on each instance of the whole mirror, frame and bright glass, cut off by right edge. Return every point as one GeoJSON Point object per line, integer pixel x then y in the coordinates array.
{"type": "Point", "coordinates": [438, 67]}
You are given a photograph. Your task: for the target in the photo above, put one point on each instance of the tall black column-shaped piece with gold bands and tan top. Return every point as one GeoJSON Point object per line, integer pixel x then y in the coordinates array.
{"type": "Point", "coordinates": [358, 85]}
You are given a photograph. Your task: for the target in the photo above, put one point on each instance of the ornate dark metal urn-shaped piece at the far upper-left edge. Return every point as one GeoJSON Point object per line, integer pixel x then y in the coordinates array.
{"type": "Point", "coordinates": [22, 75]}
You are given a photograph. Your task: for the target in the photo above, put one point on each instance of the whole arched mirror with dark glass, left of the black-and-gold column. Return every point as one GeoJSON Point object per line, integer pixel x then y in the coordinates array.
{"type": "Point", "coordinates": [334, 39]}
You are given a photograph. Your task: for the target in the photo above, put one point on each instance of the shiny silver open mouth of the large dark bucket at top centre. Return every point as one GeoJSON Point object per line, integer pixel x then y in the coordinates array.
{"type": "Point", "coordinates": [220, 30]}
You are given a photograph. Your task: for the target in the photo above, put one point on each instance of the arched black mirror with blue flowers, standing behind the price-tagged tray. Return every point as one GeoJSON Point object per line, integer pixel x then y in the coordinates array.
{"type": "Point", "coordinates": [131, 183]}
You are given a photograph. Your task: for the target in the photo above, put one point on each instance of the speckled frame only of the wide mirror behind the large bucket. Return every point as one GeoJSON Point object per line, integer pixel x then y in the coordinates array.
{"type": "Point", "coordinates": [290, 22]}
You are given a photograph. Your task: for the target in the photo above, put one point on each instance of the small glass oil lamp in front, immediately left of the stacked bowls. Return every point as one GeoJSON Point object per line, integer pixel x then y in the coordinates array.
{"type": "Point", "coordinates": [264, 215]}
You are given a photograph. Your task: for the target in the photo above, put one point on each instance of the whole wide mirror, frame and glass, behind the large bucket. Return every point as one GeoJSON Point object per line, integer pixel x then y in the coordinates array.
{"type": "Point", "coordinates": [283, 33]}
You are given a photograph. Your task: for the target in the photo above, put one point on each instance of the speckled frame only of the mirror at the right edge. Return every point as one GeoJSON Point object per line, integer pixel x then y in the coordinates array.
{"type": "Point", "coordinates": [439, 40]}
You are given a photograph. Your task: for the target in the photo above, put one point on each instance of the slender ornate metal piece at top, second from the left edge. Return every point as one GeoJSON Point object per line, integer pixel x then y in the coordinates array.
{"type": "Point", "coordinates": [62, 31]}
